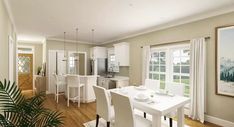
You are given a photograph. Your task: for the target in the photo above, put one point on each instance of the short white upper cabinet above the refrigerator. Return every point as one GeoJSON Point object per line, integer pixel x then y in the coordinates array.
{"type": "Point", "coordinates": [98, 52]}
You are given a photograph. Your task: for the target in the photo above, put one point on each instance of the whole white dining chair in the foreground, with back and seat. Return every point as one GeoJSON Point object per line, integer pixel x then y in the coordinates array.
{"type": "Point", "coordinates": [124, 115]}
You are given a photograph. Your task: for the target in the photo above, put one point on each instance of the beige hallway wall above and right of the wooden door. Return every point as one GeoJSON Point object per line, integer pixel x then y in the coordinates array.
{"type": "Point", "coordinates": [38, 54]}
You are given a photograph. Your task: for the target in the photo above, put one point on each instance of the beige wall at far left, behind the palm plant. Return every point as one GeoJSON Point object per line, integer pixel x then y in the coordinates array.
{"type": "Point", "coordinates": [6, 29]}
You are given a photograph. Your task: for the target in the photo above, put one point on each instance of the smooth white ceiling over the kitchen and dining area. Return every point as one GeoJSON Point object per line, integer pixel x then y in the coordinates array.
{"type": "Point", "coordinates": [111, 19]}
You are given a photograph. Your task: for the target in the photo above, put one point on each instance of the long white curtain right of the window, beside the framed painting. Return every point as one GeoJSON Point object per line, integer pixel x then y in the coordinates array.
{"type": "Point", "coordinates": [197, 79]}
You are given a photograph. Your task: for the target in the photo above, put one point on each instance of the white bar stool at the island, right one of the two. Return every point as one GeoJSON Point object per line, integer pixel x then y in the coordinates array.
{"type": "Point", "coordinates": [73, 81]}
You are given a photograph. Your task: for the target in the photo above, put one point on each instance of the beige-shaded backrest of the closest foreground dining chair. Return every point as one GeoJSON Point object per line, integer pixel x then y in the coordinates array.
{"type": "Point", "coordinates": [123, 108]}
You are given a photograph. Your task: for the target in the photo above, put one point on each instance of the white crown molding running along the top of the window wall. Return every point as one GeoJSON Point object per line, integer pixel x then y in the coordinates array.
{"type": "Point", "coordinates": [177, 23]}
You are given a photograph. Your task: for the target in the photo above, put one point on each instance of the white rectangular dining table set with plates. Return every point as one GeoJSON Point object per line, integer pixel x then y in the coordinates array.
{"type": "Point", "coordinates": [157, 105]}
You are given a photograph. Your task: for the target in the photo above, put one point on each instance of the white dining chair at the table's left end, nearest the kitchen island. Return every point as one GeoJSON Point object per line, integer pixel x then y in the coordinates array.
{"type": "Point", "coordinates": [103, 105]}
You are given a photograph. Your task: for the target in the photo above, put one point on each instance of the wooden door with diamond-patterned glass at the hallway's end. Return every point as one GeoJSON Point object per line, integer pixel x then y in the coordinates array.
{"type": "Point", "coordinates": [25, 71]}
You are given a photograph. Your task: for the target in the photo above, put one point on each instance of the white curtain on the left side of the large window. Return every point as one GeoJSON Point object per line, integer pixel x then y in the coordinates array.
{"type": "Point", "coordinates": [145, 63]}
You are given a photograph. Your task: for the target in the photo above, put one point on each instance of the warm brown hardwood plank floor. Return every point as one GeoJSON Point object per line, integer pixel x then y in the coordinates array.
{"type": "Point", "coordinates": [75, 117]}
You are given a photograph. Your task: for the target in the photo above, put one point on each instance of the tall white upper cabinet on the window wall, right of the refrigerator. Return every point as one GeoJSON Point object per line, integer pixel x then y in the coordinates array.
{"type": "Point", "coordinates": [122, 53]}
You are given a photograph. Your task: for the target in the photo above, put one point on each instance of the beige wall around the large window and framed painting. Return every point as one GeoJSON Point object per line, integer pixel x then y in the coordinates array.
{"type": "Point", "coordinates": [217, 106]}
